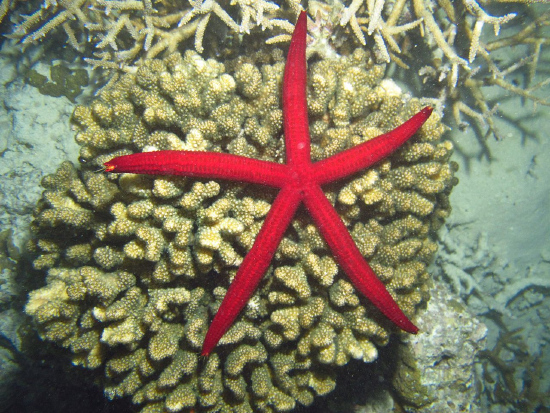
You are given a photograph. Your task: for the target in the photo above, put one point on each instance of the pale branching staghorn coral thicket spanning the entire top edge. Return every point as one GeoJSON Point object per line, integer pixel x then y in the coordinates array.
{"type": "Point", "coordinates": [443, 43]}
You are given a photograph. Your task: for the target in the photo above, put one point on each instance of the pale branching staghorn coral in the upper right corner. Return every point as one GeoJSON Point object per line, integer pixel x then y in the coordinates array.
{"type": "Point", "coordinates": [459, 71]}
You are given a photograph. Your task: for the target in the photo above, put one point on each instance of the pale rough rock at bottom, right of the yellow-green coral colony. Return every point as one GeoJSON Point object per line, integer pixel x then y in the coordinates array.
{"type": "Point", "coordinates": [437, 371]}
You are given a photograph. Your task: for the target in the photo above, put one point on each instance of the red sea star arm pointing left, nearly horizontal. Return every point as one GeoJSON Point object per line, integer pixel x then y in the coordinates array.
{"type": "Point", "coordinates": [211, 165]}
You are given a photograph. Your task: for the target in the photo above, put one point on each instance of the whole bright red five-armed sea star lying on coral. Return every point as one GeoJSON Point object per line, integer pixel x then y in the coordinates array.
{"type": "Point", "coordinates": [299, 181]}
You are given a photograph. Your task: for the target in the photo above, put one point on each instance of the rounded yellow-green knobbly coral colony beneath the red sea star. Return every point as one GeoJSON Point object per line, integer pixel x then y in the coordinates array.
{"type": "Point", "coordinates": [137, 265]}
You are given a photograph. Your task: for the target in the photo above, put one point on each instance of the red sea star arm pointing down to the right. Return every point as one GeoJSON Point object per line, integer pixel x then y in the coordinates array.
{"type": "Point", "coordinates": [350, 259]}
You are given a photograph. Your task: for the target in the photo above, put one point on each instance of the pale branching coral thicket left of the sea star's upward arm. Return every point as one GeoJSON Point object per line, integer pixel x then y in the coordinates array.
{"type": "Point", "coordinates": [120, 32]}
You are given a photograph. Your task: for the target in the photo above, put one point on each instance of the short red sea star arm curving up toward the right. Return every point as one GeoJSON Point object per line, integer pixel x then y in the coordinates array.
{"type": "Point", "coordinates": [368, 153]}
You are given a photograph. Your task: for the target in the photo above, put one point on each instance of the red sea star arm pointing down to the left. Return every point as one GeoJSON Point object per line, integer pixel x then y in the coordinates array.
{"type": "Point", "coordinates": [254, 265]}
